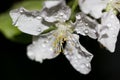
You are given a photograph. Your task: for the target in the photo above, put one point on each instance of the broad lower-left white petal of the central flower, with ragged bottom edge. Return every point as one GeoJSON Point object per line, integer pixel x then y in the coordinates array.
{"type": "Point", "coordinates": [42, 48]}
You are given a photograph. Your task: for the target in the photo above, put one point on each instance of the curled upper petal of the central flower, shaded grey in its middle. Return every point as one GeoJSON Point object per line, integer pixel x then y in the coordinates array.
{"type": "Point", "coordinates": [61, 12]}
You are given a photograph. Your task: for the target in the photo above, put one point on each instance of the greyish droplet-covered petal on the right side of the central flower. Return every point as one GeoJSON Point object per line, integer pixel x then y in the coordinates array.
{"type": "Point", "coordinates": [85, 26]}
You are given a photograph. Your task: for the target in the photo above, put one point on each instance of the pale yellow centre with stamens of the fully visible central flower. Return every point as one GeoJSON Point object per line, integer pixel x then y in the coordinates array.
{"type": "Point", "coordinates": [61, 35]}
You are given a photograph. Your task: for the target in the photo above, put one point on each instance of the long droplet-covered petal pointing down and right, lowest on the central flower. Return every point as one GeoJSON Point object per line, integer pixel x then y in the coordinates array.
{"type": "Point", "coordinates": [78, 56]}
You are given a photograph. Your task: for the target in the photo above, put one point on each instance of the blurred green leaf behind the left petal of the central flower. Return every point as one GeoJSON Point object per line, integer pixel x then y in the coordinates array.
{"type": "Point", "coordinates": [11, 32]}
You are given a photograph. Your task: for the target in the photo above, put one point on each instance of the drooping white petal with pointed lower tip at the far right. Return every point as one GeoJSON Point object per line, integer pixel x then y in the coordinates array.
{"type": "Point", "coordinates": [108, 30]}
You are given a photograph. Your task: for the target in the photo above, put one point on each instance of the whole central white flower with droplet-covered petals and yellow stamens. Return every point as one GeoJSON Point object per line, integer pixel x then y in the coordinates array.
{"type": "Point", "coordinates": [49, 45]}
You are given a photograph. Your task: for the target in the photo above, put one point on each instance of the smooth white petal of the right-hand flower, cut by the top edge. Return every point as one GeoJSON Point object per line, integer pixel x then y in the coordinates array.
{"type": "Point", "coordinates": [93, 7]}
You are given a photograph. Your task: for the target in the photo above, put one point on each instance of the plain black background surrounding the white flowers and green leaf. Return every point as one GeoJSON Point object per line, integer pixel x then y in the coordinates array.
{"type": "Point", "coordinates": [15, 64]}
